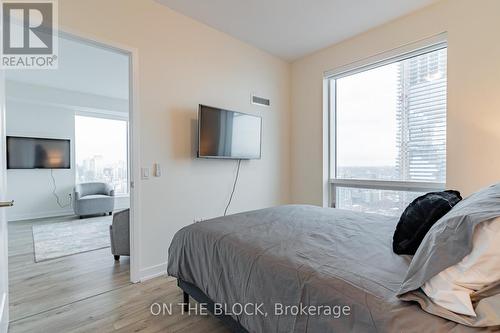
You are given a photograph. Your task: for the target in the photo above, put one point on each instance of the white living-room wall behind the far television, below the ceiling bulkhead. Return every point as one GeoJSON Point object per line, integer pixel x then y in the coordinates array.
{"type": "Point", "coordinates": [31, 189]}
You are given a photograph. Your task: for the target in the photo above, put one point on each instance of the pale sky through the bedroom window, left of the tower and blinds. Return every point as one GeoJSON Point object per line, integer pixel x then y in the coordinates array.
{"type": "Point", "coordinates": [366, 117]}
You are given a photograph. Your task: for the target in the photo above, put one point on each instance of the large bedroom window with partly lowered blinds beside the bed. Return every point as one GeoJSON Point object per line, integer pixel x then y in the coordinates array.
{"type": "Point", "coordinates": [388, 132]}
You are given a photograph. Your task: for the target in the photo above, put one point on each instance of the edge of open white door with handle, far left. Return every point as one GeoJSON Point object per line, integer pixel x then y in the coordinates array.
{"type": "Point", "coordinates": [4, 279]}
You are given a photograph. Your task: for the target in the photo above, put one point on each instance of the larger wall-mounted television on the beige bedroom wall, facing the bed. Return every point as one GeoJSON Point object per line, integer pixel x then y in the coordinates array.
{"type": "Point", "coordinates": [228, 134]}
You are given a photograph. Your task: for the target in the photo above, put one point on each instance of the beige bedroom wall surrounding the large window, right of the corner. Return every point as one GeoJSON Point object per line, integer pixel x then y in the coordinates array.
{"type": "Point", "coordinates": [473, 139]}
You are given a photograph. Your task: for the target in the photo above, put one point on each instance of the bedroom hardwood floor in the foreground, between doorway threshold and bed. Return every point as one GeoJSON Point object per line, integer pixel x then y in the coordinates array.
{"type": "Point", "coordinates": [126, 309]}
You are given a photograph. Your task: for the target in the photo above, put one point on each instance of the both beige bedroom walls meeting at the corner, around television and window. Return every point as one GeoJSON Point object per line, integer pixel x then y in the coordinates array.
{"type": "Point", "coordinates": [183, 63]}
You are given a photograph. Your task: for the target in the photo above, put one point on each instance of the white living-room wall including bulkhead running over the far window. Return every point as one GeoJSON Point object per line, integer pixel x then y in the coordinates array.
{"type": "Point", "coordinates": [46, 112]}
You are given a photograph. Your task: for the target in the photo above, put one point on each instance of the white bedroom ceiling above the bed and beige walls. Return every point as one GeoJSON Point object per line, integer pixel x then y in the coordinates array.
{"type": "Point", "coordinates": [291, 29]}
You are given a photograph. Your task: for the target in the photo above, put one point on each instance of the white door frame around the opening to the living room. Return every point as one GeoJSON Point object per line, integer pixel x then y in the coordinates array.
{"type": "Point", "coordinates": [134, 139]}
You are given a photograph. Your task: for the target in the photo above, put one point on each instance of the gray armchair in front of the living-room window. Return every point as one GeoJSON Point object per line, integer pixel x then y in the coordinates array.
{"type": "Point", "coordinates": [93, 198]}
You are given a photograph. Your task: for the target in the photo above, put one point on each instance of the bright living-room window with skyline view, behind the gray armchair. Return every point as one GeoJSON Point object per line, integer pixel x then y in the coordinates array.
{"type": "Point", "coordinates": [101, 151]}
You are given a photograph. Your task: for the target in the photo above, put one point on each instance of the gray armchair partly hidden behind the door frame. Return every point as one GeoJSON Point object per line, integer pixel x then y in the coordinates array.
{"type": "Point", "coordinates": [119, 234]}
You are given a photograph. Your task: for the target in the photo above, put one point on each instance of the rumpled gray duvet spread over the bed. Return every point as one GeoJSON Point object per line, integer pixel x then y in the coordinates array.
{"type": "Point", "coordinates": [323, 260]}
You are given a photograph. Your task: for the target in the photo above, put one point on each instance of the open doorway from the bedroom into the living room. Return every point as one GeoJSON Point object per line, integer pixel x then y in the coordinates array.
{"type": "Point", "coordinates": [58, 255]}
